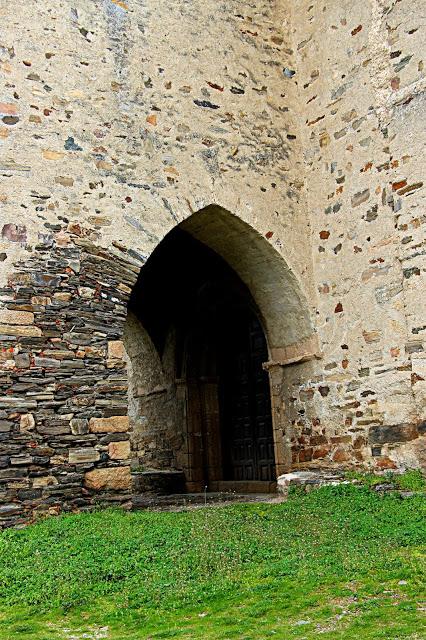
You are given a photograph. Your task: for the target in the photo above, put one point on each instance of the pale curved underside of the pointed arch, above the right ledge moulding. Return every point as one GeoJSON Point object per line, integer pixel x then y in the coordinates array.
{"type": "Point", "coordinates": [283, 306]}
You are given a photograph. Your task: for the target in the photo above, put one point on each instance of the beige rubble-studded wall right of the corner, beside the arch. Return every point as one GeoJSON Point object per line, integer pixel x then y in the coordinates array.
{"type": "Point", "coordinates": [360, 76]}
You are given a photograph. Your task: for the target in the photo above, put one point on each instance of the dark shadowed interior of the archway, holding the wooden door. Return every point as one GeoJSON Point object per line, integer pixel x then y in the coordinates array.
{"type": "Point", "coordinates": [210, 386]}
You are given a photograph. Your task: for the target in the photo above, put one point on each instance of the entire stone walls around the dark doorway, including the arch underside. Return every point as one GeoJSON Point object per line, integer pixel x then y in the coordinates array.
{"type": "Point", "coordinates": [119, 120]}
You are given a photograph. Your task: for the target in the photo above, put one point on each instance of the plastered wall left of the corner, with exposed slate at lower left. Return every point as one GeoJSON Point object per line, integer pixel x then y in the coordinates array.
{"type": "Point", "coordinates": [117, 121]}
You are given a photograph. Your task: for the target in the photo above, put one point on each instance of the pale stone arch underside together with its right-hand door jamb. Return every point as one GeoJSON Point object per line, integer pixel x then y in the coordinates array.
{"type": "Point", "coordinates": [284, 313]}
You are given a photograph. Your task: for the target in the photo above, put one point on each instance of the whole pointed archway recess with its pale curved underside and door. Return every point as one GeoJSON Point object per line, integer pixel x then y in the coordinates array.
{"type": "Point", "coordinates": [213, 303]}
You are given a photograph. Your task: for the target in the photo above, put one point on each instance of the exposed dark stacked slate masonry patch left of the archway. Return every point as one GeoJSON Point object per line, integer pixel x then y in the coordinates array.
{"type": "Point", "coordinates": [64, 431]}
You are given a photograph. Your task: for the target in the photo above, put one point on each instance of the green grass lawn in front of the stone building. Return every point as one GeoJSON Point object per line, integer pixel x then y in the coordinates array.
{"type": "Point", "coordinates": [340, 562]}
